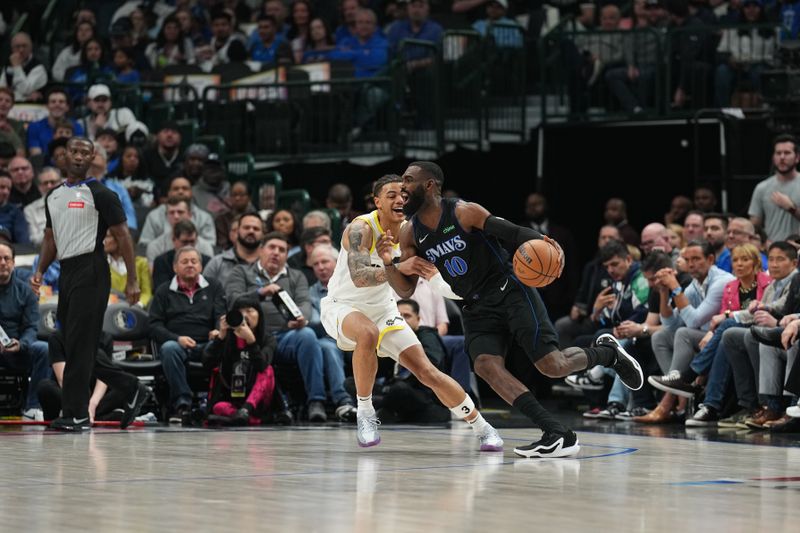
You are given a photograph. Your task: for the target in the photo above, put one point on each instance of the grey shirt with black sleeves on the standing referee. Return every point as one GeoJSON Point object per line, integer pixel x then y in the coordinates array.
{"type": "Point", "coordinates": [80, 215]}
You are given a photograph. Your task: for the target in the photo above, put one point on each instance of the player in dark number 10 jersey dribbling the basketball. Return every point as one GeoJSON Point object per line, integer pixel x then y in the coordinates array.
{"type": "Point", "coordinates": [461, 240]}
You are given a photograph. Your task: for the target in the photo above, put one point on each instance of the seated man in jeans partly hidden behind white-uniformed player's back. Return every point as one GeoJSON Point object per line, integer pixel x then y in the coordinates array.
{"type": "Point", "coordinates": [323, 261]}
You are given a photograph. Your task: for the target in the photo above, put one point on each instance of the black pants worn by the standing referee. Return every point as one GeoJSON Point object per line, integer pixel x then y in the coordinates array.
{"type": "Point", "coordinates": [84, 286]}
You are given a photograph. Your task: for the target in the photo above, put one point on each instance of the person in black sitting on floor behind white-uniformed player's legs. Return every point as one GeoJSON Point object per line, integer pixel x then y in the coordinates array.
{"type": "Point", "coordinates": [405, 399]}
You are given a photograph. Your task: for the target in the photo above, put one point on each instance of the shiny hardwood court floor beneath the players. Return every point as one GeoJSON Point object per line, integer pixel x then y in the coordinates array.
{"type": "Point", "coordinates": [309, 479]}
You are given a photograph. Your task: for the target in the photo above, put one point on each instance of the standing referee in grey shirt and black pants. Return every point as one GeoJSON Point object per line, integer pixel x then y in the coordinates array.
{"type": "Point", "coordinates": [78, 213]}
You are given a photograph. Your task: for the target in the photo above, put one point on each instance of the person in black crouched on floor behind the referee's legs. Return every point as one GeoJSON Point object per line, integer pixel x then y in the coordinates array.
{"type": "Point", "coordinates": [116, 395]}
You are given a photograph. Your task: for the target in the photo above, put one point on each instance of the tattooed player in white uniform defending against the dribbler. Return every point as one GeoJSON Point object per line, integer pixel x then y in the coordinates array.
{"type": "Point", "coordinates": [361, 314]}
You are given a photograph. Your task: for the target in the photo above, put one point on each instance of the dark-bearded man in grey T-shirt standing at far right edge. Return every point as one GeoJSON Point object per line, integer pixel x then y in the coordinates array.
{"type": "Point", "coordinates": [774, 201]}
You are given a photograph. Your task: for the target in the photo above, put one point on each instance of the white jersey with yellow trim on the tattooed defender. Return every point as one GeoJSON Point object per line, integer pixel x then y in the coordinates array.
{"type": "Point", "coordinates": [341, 287]}
